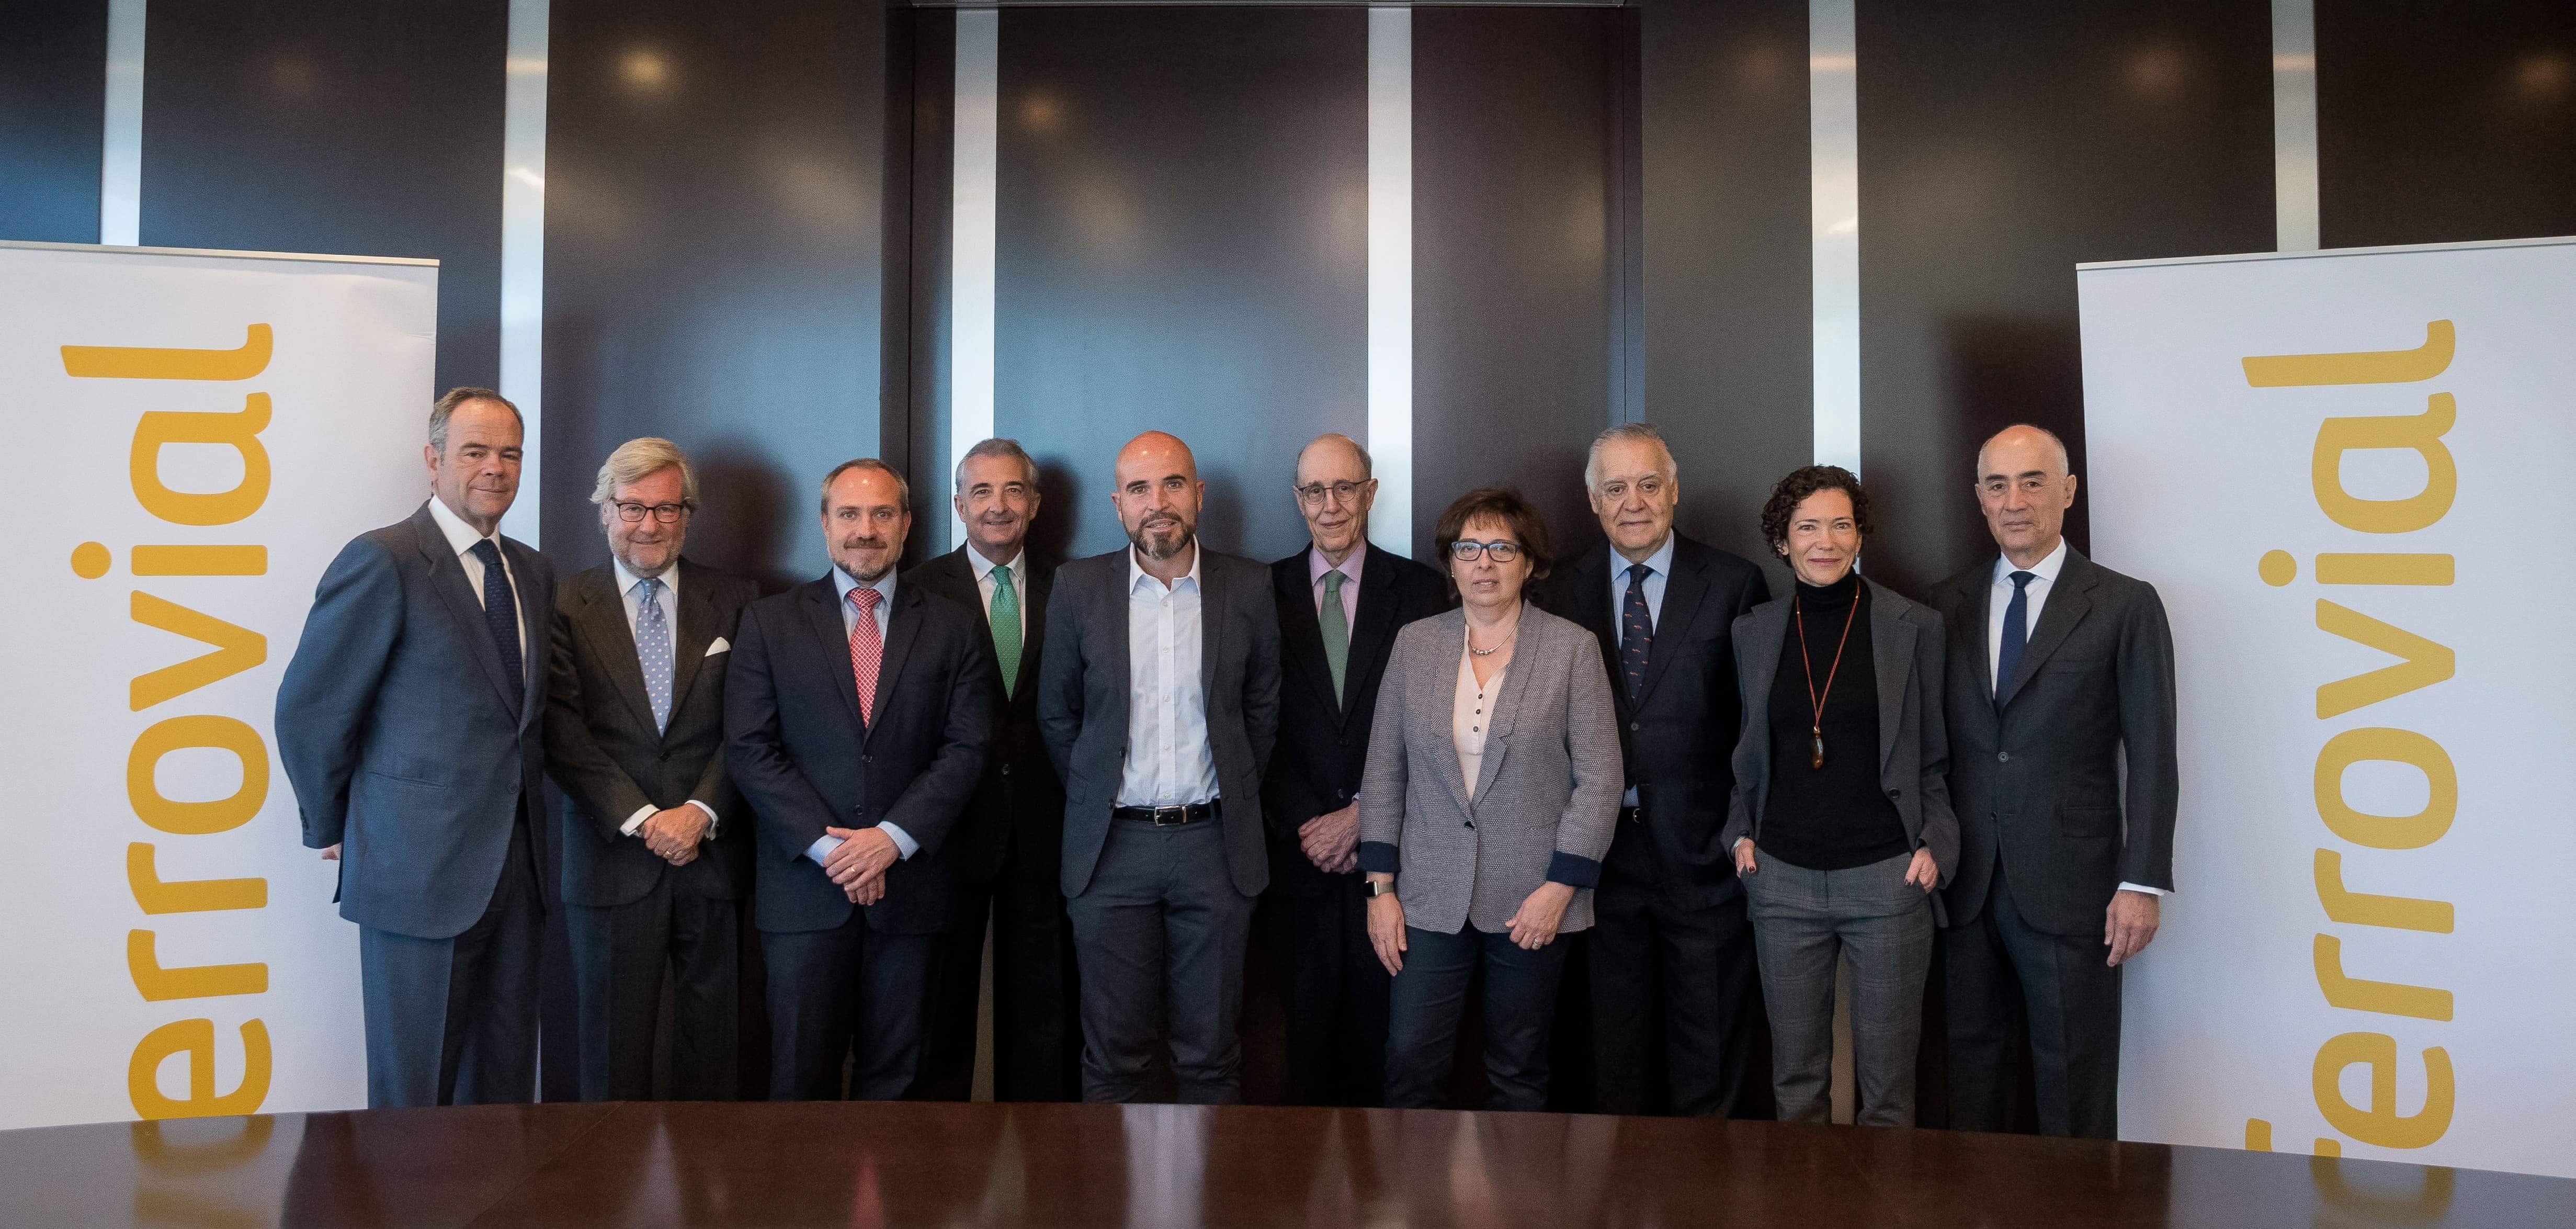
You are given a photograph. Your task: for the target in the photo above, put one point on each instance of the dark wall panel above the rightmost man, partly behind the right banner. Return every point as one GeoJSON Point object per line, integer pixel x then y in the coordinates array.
{"type": "Point", "coordinates": [2000, 146]}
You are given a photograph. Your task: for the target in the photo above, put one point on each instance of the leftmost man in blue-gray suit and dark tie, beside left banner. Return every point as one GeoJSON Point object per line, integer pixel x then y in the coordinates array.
{"type": "Point", "coordinates": [411, 725]}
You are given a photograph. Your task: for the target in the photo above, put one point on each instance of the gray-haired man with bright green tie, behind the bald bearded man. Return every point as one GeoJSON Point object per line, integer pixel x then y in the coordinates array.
{"type": "Point", "coordinates": [1011, 839]}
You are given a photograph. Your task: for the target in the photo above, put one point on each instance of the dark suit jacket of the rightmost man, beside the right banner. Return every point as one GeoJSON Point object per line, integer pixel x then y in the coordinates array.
{"type": "Point", "coordinates": [2036, 772]}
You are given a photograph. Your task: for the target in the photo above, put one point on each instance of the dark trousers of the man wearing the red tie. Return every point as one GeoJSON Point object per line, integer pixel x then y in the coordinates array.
{"type": "Point", "coordinates": [844, 988]}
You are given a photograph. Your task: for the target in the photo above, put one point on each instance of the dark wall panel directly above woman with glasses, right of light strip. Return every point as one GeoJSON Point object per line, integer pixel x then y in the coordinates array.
{"type": "Point", "coordinates": [1516, 151]}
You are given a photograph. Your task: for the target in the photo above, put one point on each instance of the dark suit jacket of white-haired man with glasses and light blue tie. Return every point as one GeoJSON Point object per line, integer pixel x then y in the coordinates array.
{"type": "Point", "coordinates": [609, 759]}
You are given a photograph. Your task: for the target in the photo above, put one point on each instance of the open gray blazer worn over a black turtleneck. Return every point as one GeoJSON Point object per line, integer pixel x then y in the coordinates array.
{"type": "Point", "coordinates": [1913, 736]}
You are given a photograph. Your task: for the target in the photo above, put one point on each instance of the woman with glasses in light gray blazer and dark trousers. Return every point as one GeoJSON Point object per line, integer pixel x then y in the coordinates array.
{"type": "Point", "coordinates": [1490, 795]}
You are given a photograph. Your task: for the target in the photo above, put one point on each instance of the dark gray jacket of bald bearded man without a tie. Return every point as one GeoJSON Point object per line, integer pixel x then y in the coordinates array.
{"type": "Point", "coordinates": [1083, 702]}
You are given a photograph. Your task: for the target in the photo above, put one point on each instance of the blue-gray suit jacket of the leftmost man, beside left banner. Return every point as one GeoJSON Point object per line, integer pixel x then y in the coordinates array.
{"type": "Point", "coordinates": [406, 738]}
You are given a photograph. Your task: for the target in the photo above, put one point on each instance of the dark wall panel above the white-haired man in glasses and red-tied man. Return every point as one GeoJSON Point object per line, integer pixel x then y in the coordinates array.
{"type": "Point", "coordinates": [715, 241]}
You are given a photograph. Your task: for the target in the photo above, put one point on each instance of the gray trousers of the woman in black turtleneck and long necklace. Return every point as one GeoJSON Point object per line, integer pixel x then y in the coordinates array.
{"type": "Point", "coordinates": [1804, 924]}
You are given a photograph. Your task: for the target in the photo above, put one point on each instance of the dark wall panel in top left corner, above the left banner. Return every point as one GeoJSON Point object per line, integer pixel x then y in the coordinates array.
{"type": "Point", "coordinates": [53, 117]}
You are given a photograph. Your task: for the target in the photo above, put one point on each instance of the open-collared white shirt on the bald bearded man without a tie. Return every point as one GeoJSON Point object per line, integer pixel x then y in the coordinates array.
{"type": "Point", "coordinates": [1168, 710]}
